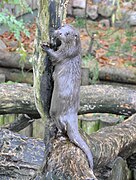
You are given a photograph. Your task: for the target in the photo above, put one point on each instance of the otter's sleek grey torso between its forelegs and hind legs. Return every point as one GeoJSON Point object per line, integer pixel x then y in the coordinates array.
{"type": "Point", "coordinates": [66, 91]}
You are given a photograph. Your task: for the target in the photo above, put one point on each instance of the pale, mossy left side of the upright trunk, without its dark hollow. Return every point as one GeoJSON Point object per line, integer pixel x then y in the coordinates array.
{"type": "Point", "coordinates": [42, 34]}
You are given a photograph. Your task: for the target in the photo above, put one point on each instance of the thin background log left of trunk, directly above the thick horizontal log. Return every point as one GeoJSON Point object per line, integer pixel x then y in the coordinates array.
{"type": "Point", "coordinates": [17, 75]}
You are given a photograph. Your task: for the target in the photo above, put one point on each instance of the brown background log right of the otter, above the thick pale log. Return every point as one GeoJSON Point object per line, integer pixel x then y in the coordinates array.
{"type": "Point", "coordinates": [114, 74]}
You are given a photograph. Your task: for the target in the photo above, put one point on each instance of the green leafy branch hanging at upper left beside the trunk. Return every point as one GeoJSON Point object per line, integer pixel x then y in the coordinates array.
{"type": "Point", "coordinates": [16, 26]}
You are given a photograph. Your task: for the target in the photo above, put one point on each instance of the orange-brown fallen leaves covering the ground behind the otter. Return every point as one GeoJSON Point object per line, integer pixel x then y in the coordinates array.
{"type": "Point", "coordinates": [105, 41]}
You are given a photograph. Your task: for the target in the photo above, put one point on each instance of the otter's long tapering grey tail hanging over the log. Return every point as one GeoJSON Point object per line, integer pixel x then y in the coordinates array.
{"type": "Point", "coordinates": [76, 138]}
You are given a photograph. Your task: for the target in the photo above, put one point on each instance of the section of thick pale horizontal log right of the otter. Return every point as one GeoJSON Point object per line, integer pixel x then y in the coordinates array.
{"type": "Point", "coordinates": [107, 99]}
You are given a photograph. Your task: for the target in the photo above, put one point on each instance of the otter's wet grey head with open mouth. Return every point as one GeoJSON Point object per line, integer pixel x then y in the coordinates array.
{"type": "Point", "coordinates": [66, 36]}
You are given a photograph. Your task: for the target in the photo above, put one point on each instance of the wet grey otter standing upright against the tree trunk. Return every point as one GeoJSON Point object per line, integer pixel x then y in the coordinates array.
{"type": "Point", "coordinates": [66, 59]}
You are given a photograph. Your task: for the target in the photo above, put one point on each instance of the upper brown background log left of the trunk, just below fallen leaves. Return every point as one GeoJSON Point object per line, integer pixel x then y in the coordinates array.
{"type": "Point", "coordinates": [13, 60]}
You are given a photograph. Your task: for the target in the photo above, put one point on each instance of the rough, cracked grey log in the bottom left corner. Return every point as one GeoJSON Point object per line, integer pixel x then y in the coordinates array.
{"type": "Point", "coordinates": [19, 160]}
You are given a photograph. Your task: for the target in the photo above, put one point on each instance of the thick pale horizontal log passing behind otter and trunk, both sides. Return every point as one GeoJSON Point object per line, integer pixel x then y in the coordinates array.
{"type": "Point", "coordinates": [18, 98]}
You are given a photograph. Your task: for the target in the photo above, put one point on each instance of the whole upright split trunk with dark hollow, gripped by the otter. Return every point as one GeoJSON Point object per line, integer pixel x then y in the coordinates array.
{"type": "Point", "coordinates": [50, 16]}
